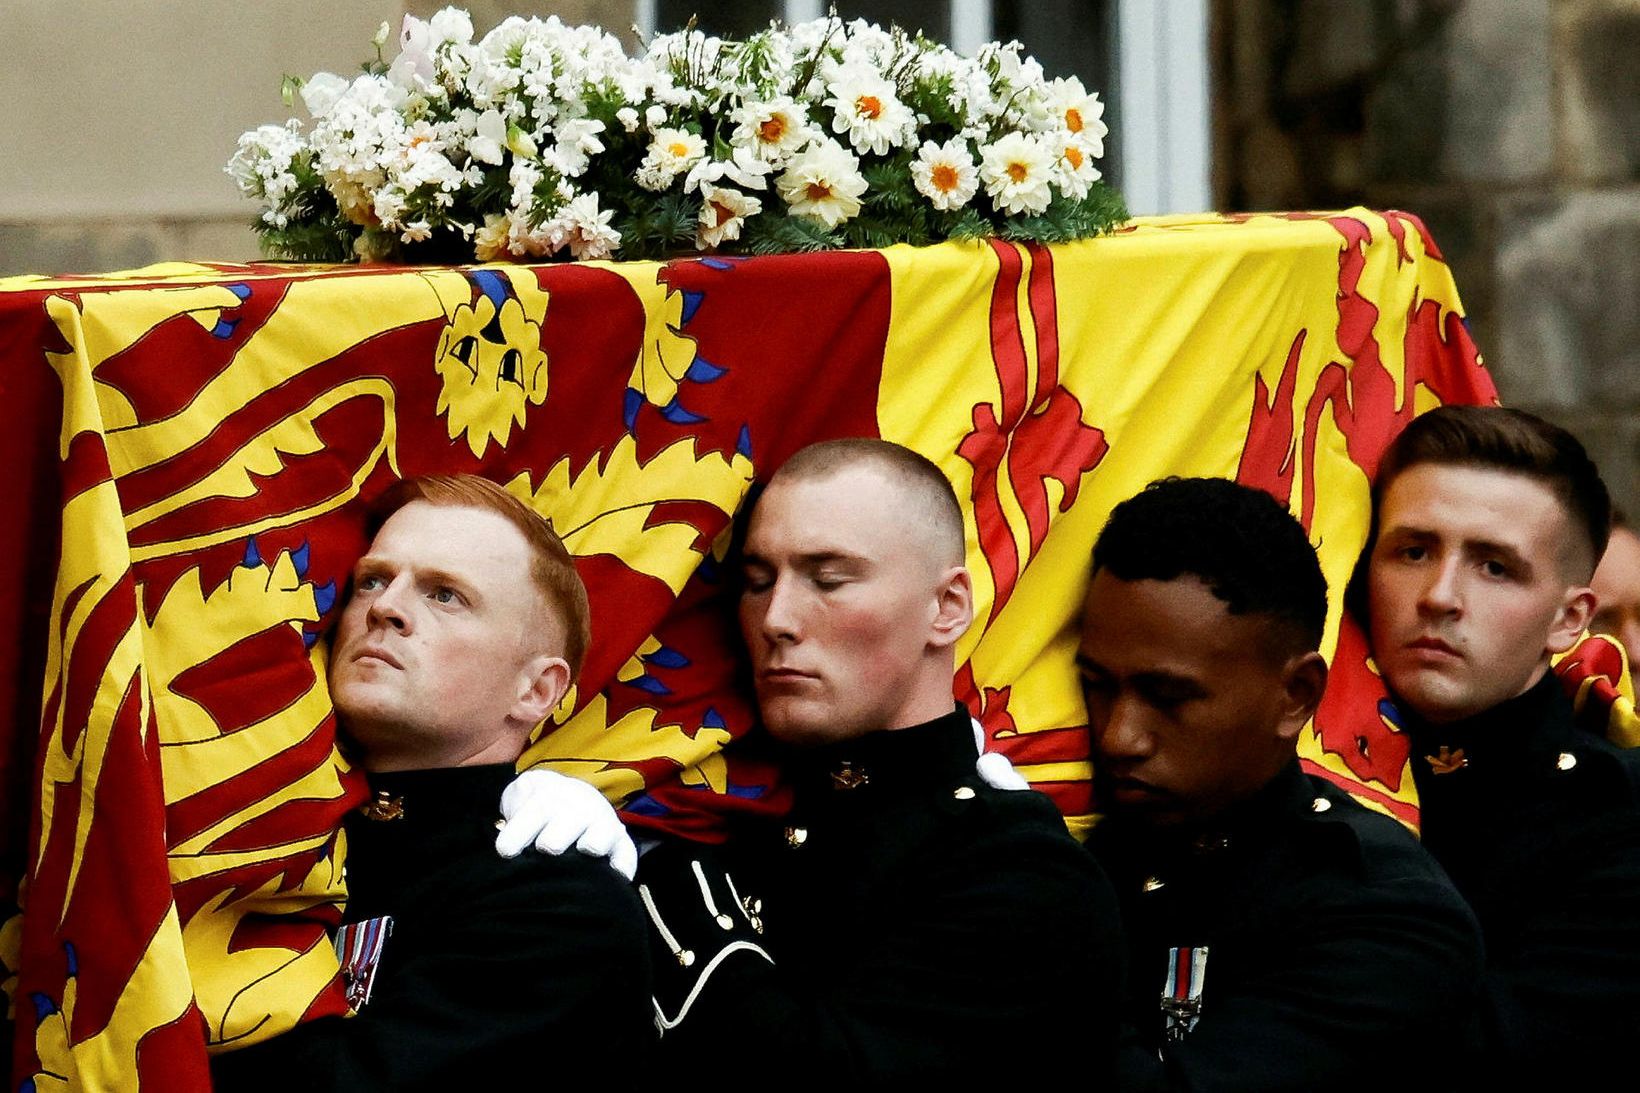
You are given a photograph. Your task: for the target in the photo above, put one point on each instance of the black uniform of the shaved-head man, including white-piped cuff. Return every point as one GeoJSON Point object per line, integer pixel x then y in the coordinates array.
{"type": "Point", "coordinates": [914, 925]}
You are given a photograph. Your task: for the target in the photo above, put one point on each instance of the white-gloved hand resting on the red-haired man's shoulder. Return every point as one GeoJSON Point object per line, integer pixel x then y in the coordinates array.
{"type": "Point", "coordinates": [555, 813]}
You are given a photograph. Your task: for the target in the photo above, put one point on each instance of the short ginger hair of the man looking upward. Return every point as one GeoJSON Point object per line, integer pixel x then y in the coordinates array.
{"type": "Point", "coordinates": [552, 569]}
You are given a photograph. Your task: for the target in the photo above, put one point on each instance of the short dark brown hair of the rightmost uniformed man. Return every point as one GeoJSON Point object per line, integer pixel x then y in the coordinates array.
{"type": "Point", "coordinates": [1500, 439]}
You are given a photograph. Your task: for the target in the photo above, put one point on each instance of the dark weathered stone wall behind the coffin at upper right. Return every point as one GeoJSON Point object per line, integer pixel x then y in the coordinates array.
{"type": "Point", "coordinates": [1513, 127]}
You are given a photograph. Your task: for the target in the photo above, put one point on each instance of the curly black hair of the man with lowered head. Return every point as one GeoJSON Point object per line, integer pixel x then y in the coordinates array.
{"type": "Point", "coordinates": [1241, 542]}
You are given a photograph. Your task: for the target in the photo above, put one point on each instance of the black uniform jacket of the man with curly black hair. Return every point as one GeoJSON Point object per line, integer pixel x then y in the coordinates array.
{"type": "Point", "coordinates": [1339, 956]}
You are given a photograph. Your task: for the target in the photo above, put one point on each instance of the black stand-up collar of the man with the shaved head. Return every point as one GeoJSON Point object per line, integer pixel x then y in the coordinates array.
{"type": "Point", "coordinates": [931, 756]}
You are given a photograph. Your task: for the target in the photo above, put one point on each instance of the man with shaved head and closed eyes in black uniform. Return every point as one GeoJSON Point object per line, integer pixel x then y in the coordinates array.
{"type": "Point", "coordinates": [906, 922]}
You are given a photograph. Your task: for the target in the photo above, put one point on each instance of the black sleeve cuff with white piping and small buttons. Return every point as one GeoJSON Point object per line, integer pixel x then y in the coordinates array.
{"type": "Point", "coordinates": [698, 920]}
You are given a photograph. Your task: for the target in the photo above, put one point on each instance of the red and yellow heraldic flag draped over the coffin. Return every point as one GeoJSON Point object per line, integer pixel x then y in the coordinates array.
{"type": "Point", "coordinates": [201, 444]}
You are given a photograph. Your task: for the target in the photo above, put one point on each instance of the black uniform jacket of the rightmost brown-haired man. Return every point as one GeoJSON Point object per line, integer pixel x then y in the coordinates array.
{"type": "Point", "coordinates": [1539, 825]}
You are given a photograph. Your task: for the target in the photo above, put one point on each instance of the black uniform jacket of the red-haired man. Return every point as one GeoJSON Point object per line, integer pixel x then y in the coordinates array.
{"type": "Point", "coordinates": [493, 966]}
